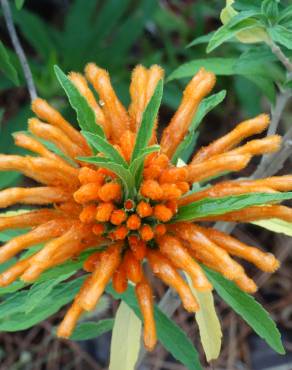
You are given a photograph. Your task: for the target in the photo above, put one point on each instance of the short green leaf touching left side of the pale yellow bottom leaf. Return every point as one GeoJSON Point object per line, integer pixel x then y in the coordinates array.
{"type": "Point", "coordinates": [90, 330]}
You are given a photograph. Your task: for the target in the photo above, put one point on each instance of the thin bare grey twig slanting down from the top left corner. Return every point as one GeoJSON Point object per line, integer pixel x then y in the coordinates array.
{"type": "Point", "coordinates": [18, 49]}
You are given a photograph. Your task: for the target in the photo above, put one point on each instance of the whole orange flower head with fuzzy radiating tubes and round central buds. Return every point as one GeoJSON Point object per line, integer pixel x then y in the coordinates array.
{"type": "Point", "coordinates": [124, 200]}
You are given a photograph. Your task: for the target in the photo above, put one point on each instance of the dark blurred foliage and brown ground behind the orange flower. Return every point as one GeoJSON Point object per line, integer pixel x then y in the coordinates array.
{"type": "Point", "coordinates": [117, 35]}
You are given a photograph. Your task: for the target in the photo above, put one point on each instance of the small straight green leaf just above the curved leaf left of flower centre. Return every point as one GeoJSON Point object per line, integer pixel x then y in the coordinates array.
{"type": "Point", "coordinates": [103, 146]}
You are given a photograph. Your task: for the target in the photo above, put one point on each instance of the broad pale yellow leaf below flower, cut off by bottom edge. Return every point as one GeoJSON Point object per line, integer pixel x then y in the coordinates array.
{"type": "Point", "coordinates": [126, 337]}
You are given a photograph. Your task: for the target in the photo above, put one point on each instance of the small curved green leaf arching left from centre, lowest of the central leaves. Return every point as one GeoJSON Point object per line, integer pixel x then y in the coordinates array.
{"type": "Point", "coordinates": [123, 173]}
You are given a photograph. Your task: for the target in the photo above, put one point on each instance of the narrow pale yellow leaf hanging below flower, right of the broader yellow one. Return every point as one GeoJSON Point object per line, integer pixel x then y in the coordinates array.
{"type": "Point", "coordinates": [208, 323]}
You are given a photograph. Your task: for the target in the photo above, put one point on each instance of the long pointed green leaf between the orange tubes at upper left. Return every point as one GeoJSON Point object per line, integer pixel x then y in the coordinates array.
{"type": "Point", "coordinates": [85, 115]}
